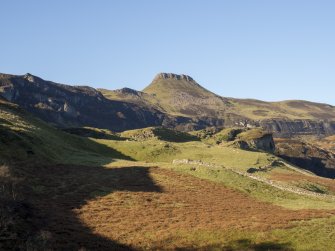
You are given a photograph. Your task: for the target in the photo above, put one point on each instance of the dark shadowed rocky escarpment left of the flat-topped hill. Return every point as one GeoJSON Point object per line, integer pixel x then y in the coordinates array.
{"type": "Point", "coordinates": [75, 106]}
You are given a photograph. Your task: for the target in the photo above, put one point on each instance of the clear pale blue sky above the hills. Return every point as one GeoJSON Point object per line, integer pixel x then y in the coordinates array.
{"type": "Point", "coordinates": [270, 50]}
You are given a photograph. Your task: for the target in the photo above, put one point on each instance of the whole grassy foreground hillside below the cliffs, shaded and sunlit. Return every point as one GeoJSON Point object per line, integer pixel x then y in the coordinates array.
{"type": "Point", "coordinates": [152, 188]}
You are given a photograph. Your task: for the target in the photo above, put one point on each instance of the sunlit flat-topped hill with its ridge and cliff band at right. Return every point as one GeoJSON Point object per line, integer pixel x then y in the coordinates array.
{"type": "Point", "coordinates": [180, 95]}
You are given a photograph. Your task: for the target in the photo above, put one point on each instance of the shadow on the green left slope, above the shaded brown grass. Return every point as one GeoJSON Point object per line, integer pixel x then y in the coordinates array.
{"type": "Point", "coordinates": [29, 147]}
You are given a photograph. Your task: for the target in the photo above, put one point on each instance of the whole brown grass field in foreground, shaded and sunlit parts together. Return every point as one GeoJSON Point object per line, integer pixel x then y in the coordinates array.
{"type": "Point", "coordinates": [139, 207]}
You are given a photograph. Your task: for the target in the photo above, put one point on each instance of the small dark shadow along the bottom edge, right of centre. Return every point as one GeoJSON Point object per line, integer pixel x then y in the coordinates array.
{"type": "Point", "coordinates": [245, 244]}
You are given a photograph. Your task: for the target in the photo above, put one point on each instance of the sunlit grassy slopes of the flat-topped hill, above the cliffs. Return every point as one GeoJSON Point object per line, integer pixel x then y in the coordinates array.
{"type": "Point", "coordinates": [165, 94]}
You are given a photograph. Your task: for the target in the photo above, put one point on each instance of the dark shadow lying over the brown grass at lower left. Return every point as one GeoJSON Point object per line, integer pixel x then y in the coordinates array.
{"type": "Point", "coordinates": [51, 194]}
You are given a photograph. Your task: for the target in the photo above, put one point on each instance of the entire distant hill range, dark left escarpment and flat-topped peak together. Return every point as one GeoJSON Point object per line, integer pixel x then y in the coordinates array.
{"type": "Point", "coordinates": [171, 100]}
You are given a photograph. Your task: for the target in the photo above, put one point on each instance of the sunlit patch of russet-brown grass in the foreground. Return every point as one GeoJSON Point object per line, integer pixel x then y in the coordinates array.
{"type": "Point", "coordinates": [186, 204]}
